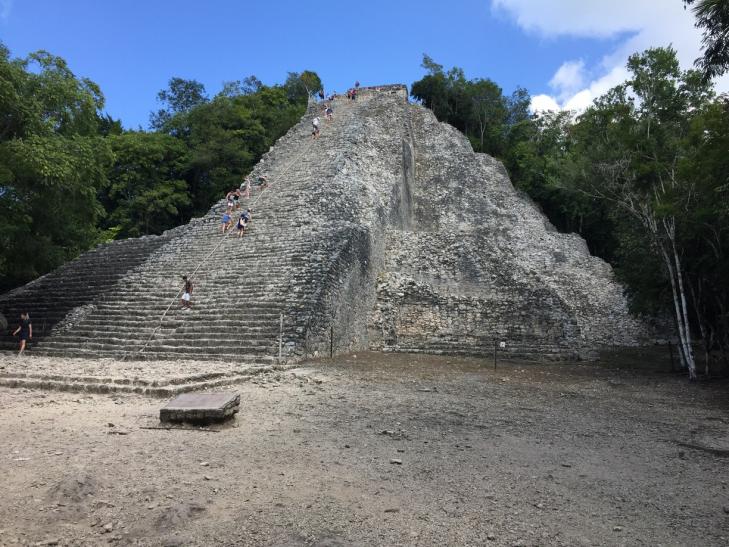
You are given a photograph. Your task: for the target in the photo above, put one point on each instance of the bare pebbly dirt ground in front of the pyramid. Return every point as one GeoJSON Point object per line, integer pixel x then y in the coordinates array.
{"type": "Point", "coordinates": [379, 450]}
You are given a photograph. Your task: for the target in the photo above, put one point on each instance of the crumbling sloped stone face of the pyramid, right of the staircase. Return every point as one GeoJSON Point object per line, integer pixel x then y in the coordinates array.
{"type": "Point", "coordinates": [481, 265]}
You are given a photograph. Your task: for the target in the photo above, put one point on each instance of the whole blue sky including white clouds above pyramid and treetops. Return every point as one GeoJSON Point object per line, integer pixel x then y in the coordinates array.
{"type": "Point", "coordinates": [563, 52]}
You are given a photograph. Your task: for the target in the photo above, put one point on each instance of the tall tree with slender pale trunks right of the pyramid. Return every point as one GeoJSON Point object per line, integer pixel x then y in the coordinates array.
{"type": "Point", "coordinates": [629, 146]}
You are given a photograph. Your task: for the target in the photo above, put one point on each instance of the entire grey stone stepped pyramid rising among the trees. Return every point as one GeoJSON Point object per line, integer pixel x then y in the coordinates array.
{"type": "Point", "coordinates": [386, 233]}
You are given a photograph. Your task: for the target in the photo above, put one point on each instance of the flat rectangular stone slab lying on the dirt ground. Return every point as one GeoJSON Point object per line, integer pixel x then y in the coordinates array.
{"type": "Point", "coordinates": [201, 407]}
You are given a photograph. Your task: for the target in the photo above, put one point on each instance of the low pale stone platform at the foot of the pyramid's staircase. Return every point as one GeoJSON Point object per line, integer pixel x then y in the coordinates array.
{"type": "Point", "coordinates": [152, 378]}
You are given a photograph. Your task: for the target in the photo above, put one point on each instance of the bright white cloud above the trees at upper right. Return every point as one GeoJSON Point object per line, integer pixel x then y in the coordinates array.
{"type": "Point", "coordinates": [644, 24]}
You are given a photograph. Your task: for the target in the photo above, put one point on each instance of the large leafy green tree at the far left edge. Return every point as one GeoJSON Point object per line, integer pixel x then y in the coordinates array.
{"type": "Point", "coordinates": [52, 163]}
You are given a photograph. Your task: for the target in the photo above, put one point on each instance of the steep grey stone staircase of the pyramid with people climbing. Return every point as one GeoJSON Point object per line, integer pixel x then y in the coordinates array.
{"type": "Point", "coordinates": [121, 300]}
